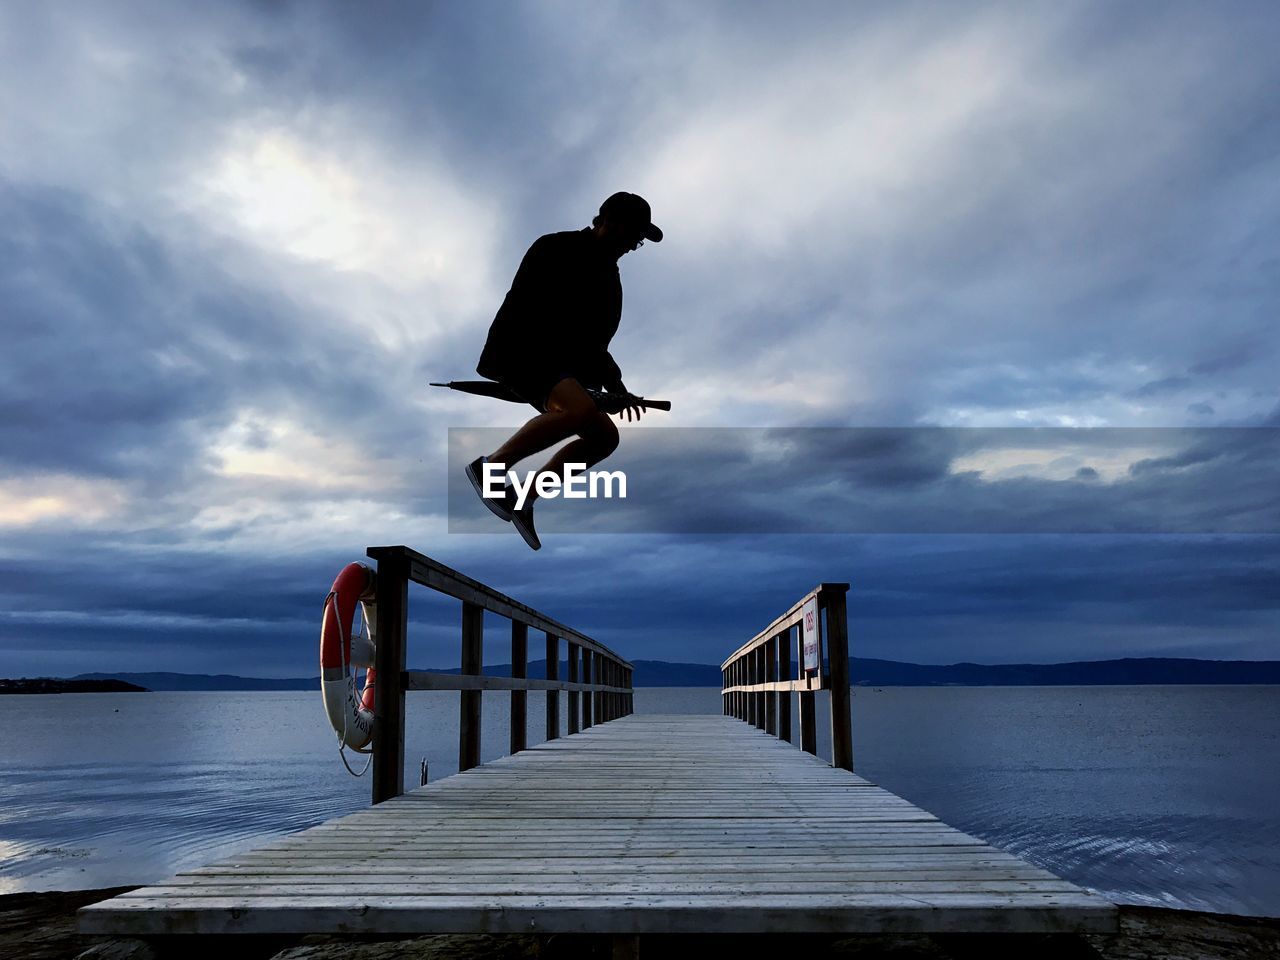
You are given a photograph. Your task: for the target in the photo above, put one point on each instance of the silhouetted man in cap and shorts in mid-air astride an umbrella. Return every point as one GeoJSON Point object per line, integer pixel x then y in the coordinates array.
{"type": "Point", "coordinates": [551, 340]}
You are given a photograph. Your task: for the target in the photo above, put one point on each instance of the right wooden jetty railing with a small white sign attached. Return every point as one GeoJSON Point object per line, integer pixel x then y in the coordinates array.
{"type": "Point", "coordinates": [757, 676]}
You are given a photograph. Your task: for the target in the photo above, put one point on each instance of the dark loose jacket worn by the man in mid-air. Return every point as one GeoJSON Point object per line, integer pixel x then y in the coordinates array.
{"type": "Point", "coordinates": [560, 316]}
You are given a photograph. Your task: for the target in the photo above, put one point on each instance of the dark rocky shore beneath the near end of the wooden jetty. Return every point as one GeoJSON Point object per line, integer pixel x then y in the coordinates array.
{"type": "Point", "coordinates": [43, 927]}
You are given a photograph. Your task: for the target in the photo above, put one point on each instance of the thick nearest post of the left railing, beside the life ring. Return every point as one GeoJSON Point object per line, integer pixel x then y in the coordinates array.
{"type": "Point", "coordinates": [388, 757]}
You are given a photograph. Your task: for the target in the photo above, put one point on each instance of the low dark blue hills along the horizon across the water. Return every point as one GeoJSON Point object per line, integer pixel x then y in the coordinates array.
{"type": "Point", "coordinates": [865, 673]}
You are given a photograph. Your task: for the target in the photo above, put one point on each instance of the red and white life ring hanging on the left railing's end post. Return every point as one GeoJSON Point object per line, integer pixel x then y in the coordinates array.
{"type": "Point", "coordinates": [351, 712]}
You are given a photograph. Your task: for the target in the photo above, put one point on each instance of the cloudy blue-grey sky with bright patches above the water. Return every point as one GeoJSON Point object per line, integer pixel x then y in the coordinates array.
{"type": "Point", "coordinates": [239, 240]}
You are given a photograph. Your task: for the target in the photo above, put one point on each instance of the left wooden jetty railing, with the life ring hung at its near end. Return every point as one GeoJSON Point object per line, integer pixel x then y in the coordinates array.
{"type": "Point", "coordinates": [598, 685]}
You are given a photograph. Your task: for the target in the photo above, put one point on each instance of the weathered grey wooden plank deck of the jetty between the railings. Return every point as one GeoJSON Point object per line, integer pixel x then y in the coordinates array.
{"type": "Point", "coordinates": [644, 825]}
